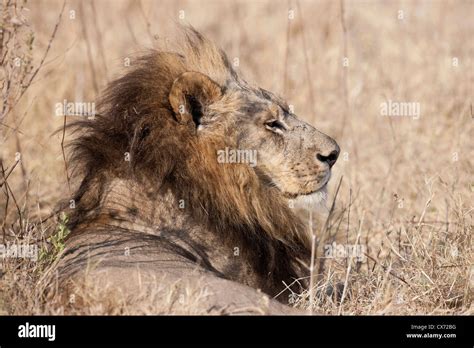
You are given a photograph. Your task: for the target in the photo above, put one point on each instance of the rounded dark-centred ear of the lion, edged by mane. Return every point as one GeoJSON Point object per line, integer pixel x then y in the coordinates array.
{"type": "Point", "coordinates": [190, 93]}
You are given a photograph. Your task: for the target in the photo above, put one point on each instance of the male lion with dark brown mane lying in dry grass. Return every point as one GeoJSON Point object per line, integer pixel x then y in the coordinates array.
{"type": "Point", "coordinates": [187, 176]}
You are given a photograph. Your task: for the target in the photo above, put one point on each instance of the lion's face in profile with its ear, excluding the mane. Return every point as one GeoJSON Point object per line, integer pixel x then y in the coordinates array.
{"type": "Point", "coordinates": [259, 129]}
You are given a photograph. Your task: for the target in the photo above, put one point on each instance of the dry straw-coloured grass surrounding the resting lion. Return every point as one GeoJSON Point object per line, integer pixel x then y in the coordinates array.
{"type": "Point", "coordinates": [406, 194]}
